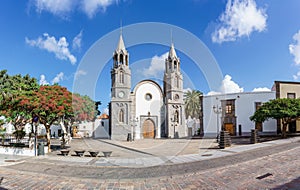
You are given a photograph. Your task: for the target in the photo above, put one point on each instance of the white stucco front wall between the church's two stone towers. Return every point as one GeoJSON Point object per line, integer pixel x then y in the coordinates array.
{"type": "Point", "coordinates": [144, 106]}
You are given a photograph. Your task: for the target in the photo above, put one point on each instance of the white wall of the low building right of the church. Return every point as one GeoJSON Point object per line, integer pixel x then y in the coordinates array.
{"type": "Point", "coordinates": [244, 108]}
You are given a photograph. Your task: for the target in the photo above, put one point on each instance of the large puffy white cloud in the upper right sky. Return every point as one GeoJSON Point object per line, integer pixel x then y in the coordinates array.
{"type": "Point", "coordinates": [241, 18]}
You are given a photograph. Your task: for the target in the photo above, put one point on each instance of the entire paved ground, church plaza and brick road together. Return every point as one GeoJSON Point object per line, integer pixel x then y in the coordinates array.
{"type": "Point", "coordinates": [273, 164]}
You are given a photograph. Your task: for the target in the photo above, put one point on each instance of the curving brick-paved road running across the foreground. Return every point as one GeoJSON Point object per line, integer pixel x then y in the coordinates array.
{"type": "Point", "coordinates": [273, 166]}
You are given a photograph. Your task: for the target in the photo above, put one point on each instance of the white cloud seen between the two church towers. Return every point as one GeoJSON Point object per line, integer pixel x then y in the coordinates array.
{"type": "Point", "coordinates": [157, 66]}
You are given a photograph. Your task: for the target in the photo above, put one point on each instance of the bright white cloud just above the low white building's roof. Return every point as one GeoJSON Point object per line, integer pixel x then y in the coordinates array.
{"type": "Point", "coordinates": [227, 86]}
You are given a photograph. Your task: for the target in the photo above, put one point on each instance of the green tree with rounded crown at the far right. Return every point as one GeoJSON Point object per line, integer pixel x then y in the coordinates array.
{"type": "Point", "coordinates": [286, 110]}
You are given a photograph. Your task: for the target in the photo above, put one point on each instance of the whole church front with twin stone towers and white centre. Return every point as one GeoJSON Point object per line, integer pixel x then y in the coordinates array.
{"type": "Point", "coordinates": [147, 110]}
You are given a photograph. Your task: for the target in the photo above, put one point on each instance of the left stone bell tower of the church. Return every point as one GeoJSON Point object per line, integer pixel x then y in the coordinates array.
{"type": "Point", "coordinates": [120, 105]}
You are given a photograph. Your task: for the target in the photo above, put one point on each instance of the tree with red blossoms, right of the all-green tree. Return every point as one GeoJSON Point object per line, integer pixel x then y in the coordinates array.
{"type": "Point", "coordinates": [55, 103]}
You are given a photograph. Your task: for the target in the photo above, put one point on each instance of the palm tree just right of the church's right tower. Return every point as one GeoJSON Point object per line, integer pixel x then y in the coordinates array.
{"type": "Point", "coordinates": [192, 101]}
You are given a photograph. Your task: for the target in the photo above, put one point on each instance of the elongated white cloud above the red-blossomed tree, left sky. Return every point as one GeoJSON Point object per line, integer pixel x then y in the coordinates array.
{"type": "Point", "coordinates": [58, 47]}
